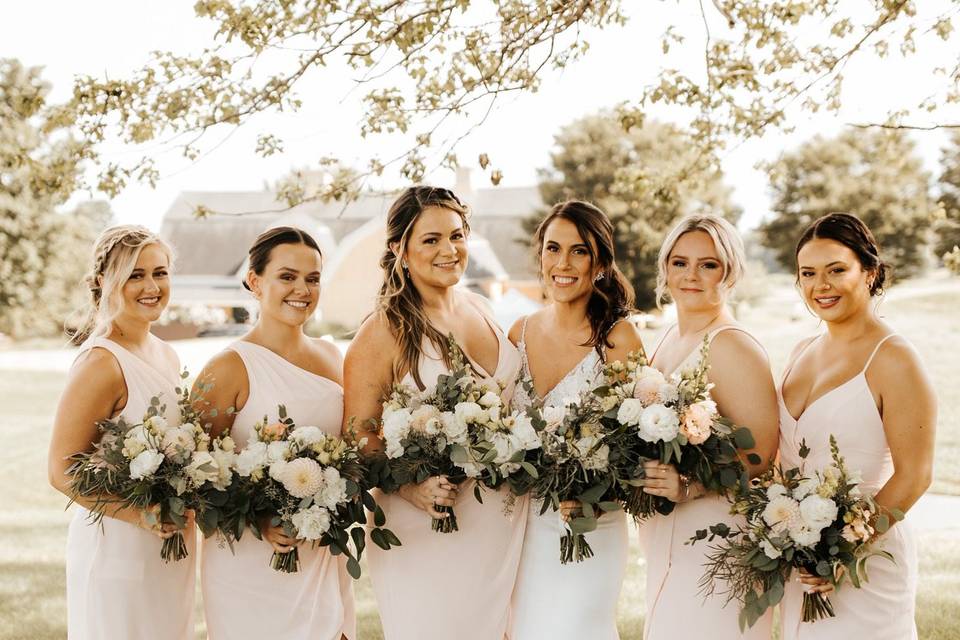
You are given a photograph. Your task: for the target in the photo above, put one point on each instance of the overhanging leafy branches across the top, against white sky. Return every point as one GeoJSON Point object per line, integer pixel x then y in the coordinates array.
{"type": "Point", "coordinates": [429, 71]}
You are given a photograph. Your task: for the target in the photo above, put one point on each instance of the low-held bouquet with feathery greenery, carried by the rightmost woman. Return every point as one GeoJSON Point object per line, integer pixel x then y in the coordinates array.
{"type": "Point", "coordinates": [821, 523]}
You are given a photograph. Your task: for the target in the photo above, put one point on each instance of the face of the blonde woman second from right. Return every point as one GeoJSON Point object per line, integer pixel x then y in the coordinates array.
{"type": "Point", "coordinates": [695, 273]}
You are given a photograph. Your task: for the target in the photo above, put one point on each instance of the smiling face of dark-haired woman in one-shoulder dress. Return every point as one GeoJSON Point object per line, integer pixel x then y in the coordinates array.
{"type": "Point", "coordinates": [289, 287]}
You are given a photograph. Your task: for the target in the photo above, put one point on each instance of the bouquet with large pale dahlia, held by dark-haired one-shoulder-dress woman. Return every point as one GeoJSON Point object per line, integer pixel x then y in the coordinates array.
{"type": "Point", "coordinates": [308, 482]}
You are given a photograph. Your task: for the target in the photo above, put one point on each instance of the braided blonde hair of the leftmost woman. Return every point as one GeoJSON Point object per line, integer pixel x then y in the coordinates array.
{"type": "Point", "coordinates": [115, 255]}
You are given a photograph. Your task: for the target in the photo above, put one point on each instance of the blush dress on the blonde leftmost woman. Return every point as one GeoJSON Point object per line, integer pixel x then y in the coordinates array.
{"type": "Point", "coordinates": [118, 587]}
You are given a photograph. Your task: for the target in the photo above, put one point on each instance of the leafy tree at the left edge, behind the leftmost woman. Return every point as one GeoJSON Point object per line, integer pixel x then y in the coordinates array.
{"type": "Point", "coordinates": [43, 253]}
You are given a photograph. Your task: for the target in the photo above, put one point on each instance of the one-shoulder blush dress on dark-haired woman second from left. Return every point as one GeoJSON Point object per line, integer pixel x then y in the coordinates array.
{"type": "Point", "coordinates": [243, 596]}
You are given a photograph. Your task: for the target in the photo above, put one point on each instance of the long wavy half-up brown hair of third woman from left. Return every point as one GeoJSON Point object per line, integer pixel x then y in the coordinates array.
{"type": "Point", "coordinates": [399, 301]}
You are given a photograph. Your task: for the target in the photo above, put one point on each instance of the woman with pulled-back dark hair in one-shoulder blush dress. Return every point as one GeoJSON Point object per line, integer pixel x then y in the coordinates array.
{"type": "Point", "coordinates": [276, 363]}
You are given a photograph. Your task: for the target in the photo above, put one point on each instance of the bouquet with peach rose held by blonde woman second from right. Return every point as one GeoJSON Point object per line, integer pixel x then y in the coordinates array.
{"type": "Point", "coordinates": [674, 421]}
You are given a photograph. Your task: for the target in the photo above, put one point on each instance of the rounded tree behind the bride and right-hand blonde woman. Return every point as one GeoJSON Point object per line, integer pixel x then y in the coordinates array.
{"type": "Point", "coordinates": [631, 176]}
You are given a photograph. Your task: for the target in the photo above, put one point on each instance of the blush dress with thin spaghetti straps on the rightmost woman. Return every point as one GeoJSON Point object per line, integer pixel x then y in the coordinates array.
{"type": "Point", "coordinates": [883, 609]}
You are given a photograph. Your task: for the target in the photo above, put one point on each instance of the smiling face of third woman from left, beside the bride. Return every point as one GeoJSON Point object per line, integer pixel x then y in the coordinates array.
{"type": "Point", "coordinates": [436, 251]}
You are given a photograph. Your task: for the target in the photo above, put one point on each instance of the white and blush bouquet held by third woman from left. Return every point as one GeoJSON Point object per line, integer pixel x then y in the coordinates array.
{"type": "Point", "coordinates": [458, 430]}
